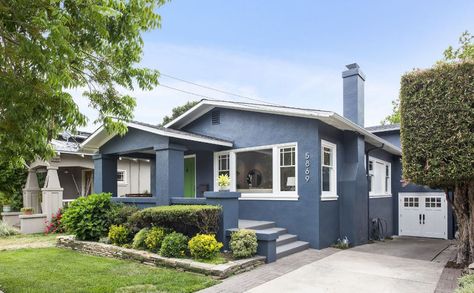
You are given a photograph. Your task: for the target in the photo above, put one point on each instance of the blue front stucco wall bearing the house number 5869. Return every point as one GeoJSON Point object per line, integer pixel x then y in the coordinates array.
{"type": "Point", "coordinates": [247, 129]}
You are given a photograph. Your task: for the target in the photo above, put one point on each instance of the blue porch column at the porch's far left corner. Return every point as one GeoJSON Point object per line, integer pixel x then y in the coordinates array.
{"type": "Point", "coordinates": [105, 174]}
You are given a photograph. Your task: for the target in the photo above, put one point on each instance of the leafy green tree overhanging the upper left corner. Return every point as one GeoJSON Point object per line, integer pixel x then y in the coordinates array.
{"type": "Point", "coordinates": [49, 47]}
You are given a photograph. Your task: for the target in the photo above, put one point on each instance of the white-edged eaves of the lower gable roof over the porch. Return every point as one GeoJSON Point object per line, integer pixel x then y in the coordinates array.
{"type": "Point", "coordinates": [101, 136]}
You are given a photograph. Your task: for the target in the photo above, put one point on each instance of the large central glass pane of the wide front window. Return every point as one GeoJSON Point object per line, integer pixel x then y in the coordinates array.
{"type": "Point", "coordinates": [254, 171]}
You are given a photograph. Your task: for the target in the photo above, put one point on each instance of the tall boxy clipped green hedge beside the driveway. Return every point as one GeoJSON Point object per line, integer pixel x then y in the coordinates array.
{"type": "Point", "coordinates": [437, 124]}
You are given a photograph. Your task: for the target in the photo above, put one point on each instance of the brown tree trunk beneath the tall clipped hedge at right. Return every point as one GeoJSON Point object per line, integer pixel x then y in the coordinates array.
{"type": "Point", "coordinates": [462, 211]}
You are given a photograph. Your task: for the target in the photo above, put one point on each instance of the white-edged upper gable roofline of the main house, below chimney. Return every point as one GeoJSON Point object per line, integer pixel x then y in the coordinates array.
{"type": "Point", "coordinates": [327, 117]}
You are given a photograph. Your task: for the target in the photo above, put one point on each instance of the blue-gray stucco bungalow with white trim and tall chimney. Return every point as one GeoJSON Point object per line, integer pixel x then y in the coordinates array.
{"type": "Point", "coordinates": [318, 175]}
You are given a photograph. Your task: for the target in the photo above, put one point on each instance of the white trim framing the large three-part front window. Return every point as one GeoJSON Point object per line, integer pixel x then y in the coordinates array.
{"type": "Point", "coordinates": [276, 194]}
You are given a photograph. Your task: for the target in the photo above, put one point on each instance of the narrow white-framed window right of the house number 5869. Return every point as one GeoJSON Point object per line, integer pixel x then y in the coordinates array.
{"type": "Point", "coordinates": [328, 171]}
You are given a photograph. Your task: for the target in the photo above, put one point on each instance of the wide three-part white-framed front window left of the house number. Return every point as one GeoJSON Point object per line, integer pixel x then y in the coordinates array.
{"type": "Point", "coordinates": [265, 172]}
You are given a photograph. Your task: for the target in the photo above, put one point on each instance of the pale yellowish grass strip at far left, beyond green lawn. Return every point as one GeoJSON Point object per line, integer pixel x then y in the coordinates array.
{"type": "Point", "coordinates": [27, 240]}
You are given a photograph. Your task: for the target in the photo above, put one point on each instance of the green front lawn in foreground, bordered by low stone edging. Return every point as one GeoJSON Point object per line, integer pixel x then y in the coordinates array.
{"type": "Point", "coordinates": [61, 270]}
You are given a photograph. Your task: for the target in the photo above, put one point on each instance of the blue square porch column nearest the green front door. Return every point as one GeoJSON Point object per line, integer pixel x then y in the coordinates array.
{"type": "Point", "coordinates": [169, 173]}
